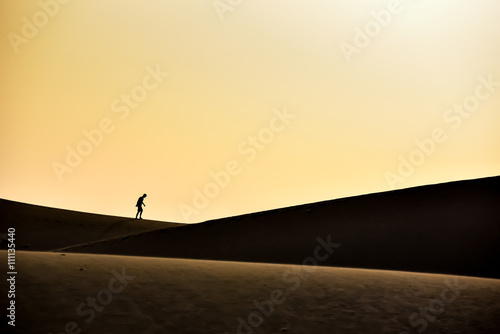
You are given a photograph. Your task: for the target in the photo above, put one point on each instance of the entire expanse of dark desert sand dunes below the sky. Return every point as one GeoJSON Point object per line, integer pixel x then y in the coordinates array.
{"type": "Point", "coordinates": [417, 260]}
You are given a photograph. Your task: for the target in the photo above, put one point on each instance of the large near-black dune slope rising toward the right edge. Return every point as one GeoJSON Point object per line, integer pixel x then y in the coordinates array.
{"type": "Point", "coordinates": [449, 228]}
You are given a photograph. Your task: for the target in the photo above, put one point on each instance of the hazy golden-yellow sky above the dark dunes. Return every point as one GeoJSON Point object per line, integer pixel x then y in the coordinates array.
{"type": "Point", "coordinates": [221, 108]}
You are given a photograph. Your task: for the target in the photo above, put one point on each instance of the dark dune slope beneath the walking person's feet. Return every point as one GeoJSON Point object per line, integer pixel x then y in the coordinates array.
{"type": "Point", "coordinates": [44, 228]}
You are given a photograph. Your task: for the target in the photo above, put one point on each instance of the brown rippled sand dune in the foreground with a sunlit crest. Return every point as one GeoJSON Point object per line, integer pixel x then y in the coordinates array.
{"type": "Point", "coordinates": [157, 295]}
